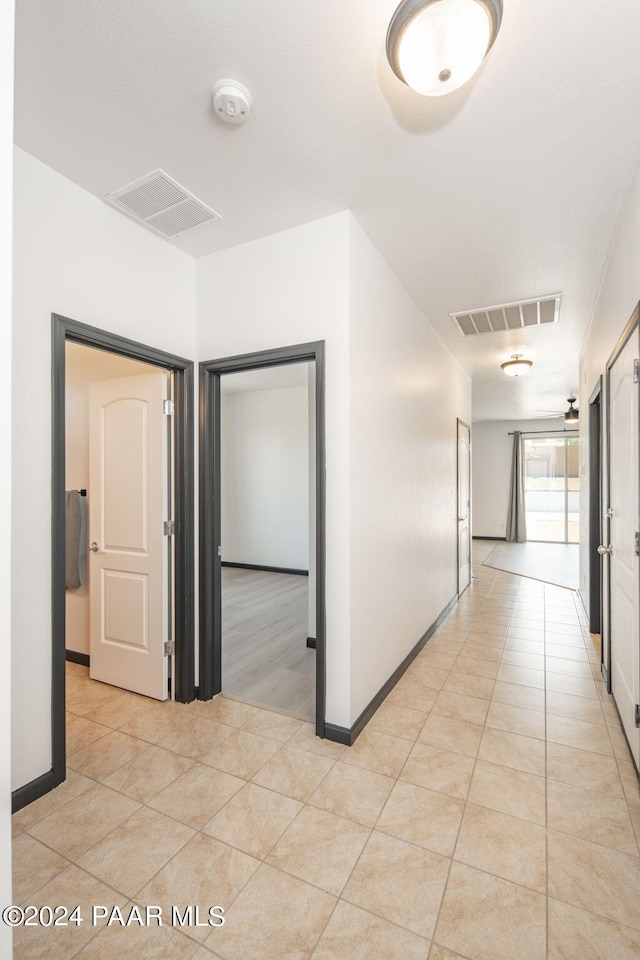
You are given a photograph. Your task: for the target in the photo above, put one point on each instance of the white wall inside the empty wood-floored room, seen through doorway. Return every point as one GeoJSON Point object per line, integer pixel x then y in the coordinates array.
{"type": "Point", "coordinates": [265, 477]}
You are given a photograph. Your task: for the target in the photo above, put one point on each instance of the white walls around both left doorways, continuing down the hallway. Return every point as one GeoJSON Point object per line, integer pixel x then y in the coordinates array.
{"type": "Point", "coordinates": [77, 257]}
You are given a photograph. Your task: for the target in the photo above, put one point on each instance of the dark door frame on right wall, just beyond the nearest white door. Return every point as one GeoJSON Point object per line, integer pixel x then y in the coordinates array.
{"type": "Point", "coordinates": [595, 509]}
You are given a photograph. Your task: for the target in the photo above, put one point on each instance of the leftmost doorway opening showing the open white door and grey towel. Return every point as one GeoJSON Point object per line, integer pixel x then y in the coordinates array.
{"type": "Point", "coordinates": [119, 565]}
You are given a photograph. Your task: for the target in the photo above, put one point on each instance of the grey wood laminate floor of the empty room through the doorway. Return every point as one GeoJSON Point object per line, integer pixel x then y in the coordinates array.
{"type": "Point", "coordinates": [265, 659]}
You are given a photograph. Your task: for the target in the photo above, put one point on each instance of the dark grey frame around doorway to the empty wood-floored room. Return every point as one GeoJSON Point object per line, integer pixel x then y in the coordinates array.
{"type": "Point", "coordinates": [210, 511]}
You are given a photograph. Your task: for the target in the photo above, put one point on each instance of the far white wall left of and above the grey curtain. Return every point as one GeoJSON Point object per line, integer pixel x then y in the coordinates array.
{"type": "Point", "coordinates": [491, 455]}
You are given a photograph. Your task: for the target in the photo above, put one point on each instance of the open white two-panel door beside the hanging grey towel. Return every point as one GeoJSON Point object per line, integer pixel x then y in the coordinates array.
{"type": "Point", "coordinates": [128, 550]}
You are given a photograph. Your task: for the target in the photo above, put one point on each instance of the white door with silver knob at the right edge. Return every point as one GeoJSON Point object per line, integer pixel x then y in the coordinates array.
{"type": "Point", "coordinates": [624, 564]}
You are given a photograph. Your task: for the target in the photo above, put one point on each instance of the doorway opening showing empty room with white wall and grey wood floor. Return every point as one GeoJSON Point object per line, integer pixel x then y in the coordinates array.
{"type": "Point", "coordinates": [267, 505]}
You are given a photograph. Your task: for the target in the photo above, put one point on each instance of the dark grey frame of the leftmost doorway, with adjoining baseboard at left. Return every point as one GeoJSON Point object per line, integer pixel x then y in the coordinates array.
{"type": "Point", "coordinates": [63, 329]}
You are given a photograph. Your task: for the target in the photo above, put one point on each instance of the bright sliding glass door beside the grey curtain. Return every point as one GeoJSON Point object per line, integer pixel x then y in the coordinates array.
{"type": "Point", "coordinates": [552, 488]}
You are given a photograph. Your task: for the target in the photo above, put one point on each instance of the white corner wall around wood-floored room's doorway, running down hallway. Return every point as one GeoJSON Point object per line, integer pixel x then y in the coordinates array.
{"type": "Point", "coordinates": [393, 395]}
